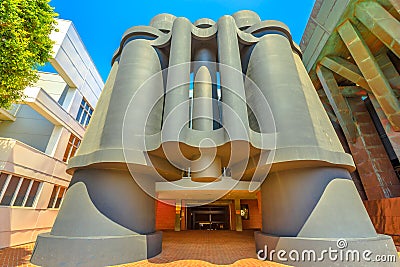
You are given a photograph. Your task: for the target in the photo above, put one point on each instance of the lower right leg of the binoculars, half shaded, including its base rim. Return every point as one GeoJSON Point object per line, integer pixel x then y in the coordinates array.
{"type": "Point", "coordinates": [311, 209]}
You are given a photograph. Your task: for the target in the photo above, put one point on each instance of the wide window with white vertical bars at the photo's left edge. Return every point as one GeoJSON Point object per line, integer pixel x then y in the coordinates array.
{"type": "Point", "coordinates": [18, 191]}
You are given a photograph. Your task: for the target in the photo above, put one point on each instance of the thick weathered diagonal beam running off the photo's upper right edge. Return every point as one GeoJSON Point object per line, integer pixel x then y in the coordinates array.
{"type": "Point", "coordinates": [381, 23]}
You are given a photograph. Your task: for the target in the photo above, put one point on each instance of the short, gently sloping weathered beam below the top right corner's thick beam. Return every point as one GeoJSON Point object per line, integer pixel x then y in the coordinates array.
{"type": "Point", "coordinates": [345, 69]}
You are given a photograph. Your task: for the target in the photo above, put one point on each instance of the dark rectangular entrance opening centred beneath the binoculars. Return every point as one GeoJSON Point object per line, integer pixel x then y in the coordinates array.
{"type": "Point", "coordinates": [208, 218]}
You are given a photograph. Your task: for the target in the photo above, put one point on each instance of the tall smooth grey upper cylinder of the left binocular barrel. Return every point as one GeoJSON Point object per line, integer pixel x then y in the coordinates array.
{"type": "Point", "coordinates": [132, 86]}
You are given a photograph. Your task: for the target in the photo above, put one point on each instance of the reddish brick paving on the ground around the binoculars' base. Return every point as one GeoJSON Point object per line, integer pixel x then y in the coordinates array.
{"type": "Point", "coordinates": [186, 248]}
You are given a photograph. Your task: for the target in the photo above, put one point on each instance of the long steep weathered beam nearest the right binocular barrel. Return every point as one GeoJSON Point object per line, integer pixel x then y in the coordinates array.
{"type": "Point", "coordinates": [337, 102]}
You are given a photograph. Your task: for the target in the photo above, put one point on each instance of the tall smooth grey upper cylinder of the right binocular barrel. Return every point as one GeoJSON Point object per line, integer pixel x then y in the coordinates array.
{"type": "Point", "coordinates": [273, 69]}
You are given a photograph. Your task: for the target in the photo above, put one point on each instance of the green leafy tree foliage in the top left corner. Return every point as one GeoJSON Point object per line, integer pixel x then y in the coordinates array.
{"type": "Point", "coordinates": [25, 26]}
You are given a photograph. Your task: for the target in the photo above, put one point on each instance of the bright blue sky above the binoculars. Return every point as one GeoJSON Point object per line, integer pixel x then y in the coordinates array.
{"type": "Point", "coordinates": [102, 23]}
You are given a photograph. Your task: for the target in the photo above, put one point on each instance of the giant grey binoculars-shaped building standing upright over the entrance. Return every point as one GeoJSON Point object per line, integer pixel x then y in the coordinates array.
{"type": "Point", "coordinates": [249, 107]}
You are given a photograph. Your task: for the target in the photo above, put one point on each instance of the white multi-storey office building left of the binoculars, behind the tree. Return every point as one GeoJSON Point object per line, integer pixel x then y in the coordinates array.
{"type": "Point", "coordinates": [40, 134]}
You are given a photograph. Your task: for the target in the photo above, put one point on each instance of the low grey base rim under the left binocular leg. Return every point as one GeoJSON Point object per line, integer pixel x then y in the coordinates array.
{"type": "Point", "coordinates": [95, 251]}
